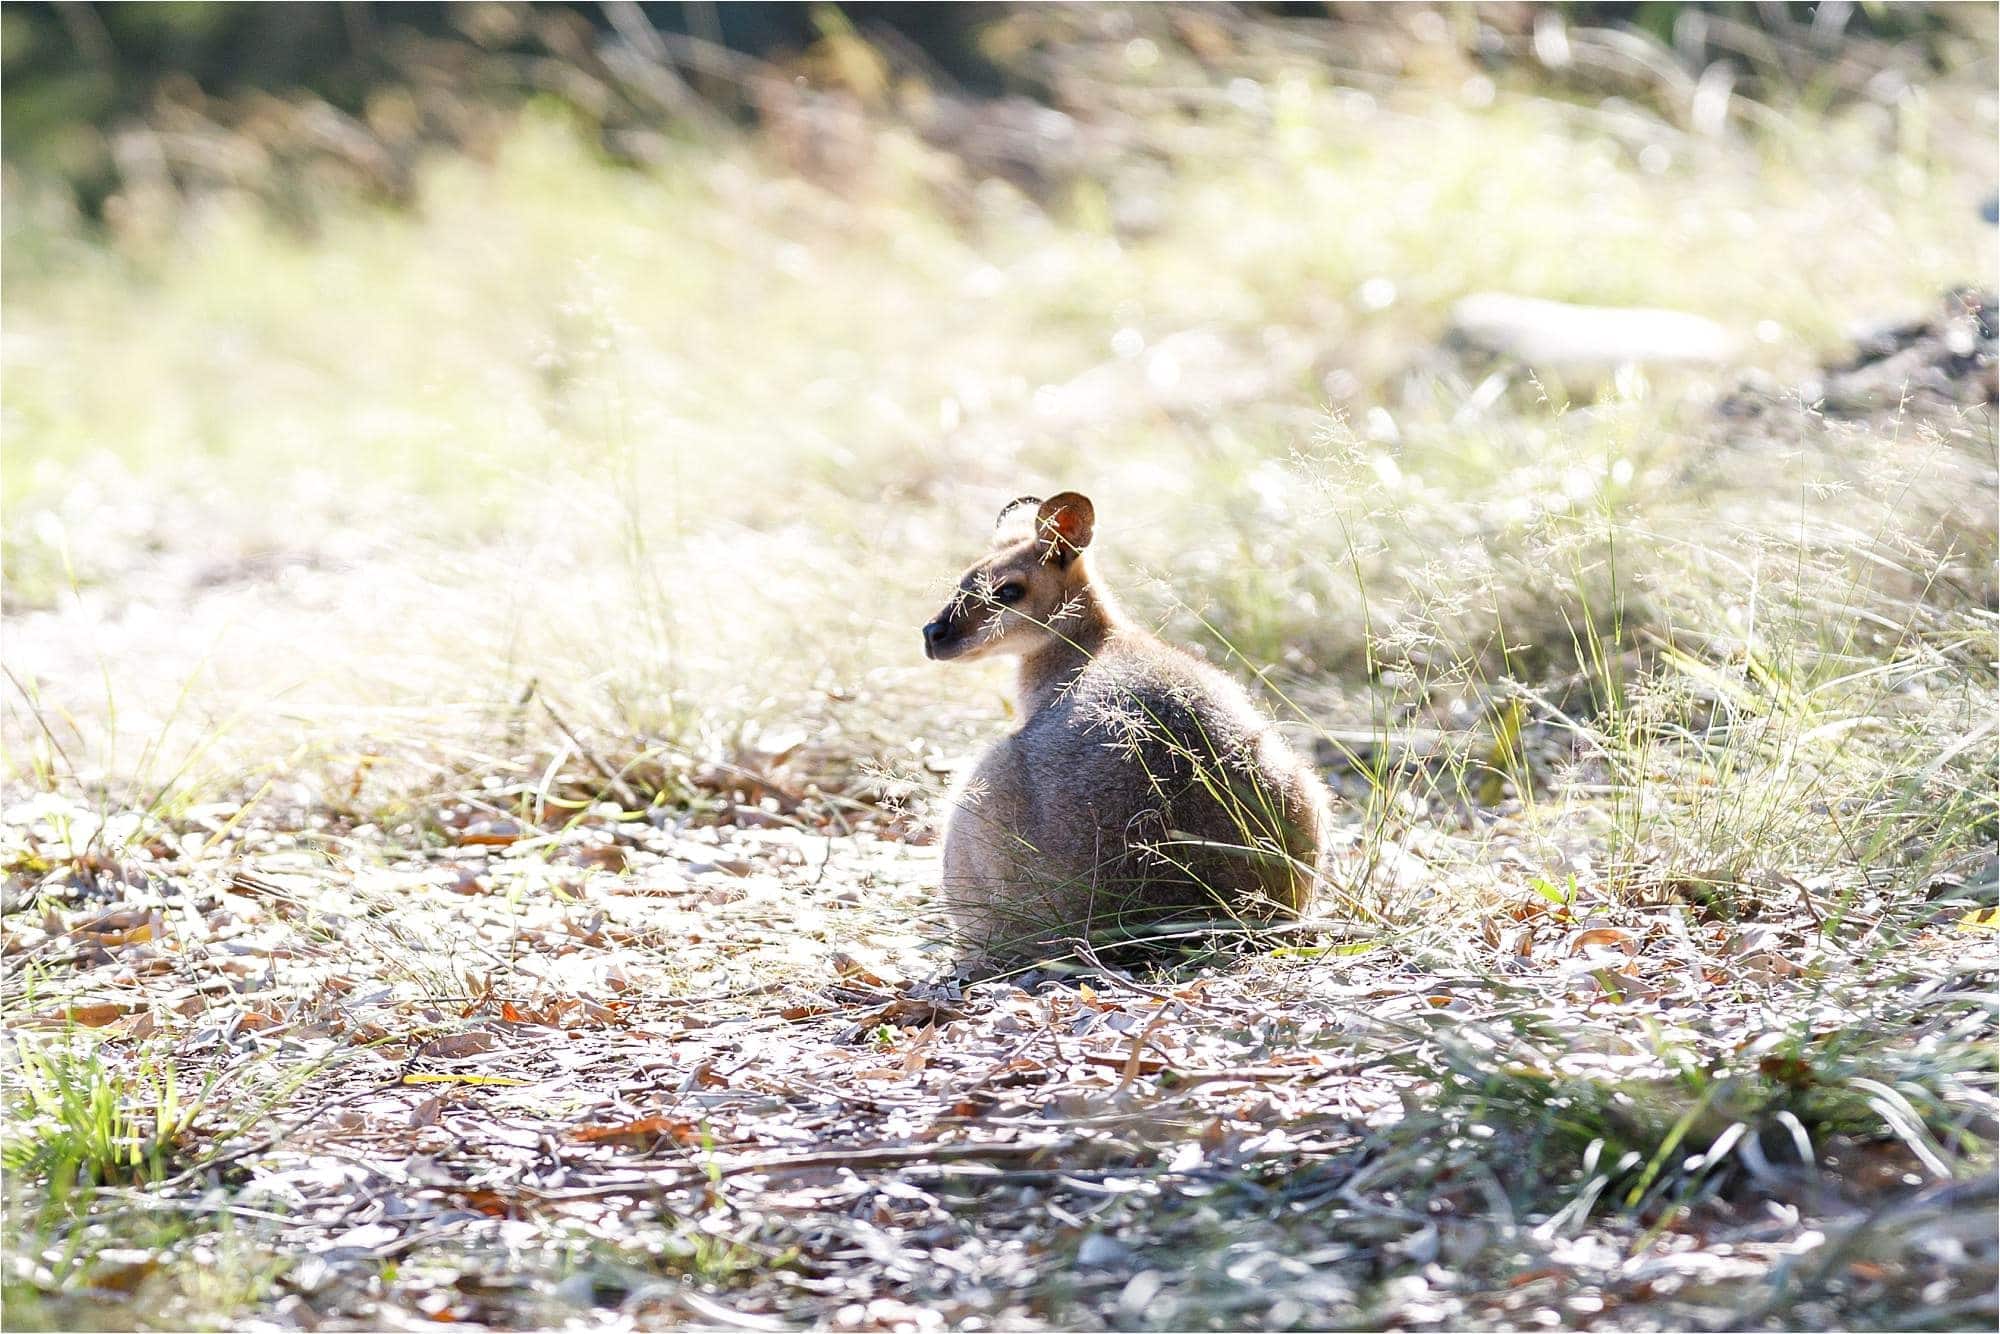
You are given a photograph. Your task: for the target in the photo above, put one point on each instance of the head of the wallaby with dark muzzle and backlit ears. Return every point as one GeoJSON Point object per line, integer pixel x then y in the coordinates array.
{"type": "Point", "coordinates": [1025, 593]}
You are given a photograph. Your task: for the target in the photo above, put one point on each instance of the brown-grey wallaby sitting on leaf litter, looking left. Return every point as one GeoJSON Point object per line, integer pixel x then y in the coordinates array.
{"type": "Point", "coordinates": [1141, 787]}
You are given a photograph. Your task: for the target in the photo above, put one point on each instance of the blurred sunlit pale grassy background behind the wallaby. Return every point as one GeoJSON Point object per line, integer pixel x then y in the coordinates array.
{"type": "Point", "coordinates": [353, 395]}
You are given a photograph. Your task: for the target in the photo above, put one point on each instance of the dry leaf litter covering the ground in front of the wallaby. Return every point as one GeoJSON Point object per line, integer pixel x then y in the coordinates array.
{"type": "Point", "coordinates": [727, 1077]}
